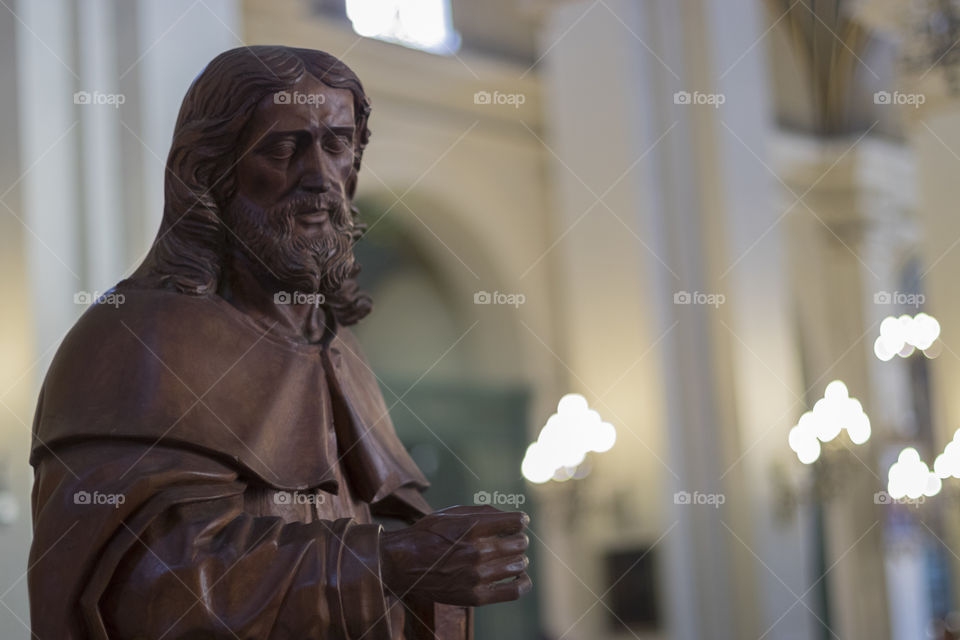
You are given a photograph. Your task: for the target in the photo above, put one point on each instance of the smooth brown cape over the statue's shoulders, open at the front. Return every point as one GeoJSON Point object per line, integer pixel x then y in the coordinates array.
{"type": "Point", "coordinates": [192, 371]}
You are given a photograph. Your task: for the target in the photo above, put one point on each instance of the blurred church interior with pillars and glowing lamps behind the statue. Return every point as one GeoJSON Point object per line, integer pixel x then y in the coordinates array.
{"type": "Point", "coordinates": [676, 277]}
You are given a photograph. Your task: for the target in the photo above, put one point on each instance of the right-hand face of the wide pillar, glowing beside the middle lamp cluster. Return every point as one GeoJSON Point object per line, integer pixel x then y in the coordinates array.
{"type": "Point", "coordinates": [743, 235]}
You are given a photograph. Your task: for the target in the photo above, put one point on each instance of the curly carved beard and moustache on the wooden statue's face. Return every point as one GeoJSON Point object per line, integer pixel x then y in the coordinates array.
{"type": "Point", "coordinates": [306, 263]}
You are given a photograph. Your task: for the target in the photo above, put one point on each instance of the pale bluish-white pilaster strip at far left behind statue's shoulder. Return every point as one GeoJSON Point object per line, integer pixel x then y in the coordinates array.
{"type": "Point", "coordinates": [49, 150]}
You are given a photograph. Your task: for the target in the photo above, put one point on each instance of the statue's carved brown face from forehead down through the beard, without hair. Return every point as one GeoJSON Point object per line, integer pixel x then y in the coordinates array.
{"type": "Point", "coordinates": [289, 212]}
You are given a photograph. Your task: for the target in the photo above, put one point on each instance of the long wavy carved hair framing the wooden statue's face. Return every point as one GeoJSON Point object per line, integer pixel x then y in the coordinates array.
{"type": "Point", "coordinates": [188, 252]}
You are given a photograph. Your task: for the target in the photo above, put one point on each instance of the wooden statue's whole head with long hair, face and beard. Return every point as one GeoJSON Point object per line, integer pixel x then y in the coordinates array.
{"type": "Point", "coordinates": [261, 175]}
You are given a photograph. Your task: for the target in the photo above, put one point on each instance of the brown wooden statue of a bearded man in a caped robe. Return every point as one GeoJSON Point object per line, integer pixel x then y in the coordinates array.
{"type": "Point", "coordinates": [212, 453]}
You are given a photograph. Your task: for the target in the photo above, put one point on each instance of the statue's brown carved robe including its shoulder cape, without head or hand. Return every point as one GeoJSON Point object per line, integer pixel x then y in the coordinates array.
{"type": "Point", "coordinates": [197, 476]}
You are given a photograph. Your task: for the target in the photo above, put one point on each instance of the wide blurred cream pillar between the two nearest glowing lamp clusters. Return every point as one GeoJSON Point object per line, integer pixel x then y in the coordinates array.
{"type": "Point", "coordinates": [713, 399]}
